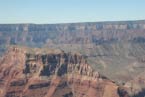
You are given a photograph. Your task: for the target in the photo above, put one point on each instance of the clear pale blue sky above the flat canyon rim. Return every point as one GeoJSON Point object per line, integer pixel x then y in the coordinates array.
{"type": "Point", "coordinates": [63, 11]}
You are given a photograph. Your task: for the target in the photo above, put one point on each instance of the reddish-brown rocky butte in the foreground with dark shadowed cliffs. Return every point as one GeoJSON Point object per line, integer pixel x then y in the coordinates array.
{"type": "Point", "coordinates": [55, 74]}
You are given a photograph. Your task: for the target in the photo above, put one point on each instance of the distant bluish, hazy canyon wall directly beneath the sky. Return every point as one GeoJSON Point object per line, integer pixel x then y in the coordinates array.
{"type": "Point", "coordinates": [75, 33]}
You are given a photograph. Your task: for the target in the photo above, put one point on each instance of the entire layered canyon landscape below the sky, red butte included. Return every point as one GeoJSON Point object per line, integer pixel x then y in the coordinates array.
{"type": "Point", "coordinates": [115, 50]}
